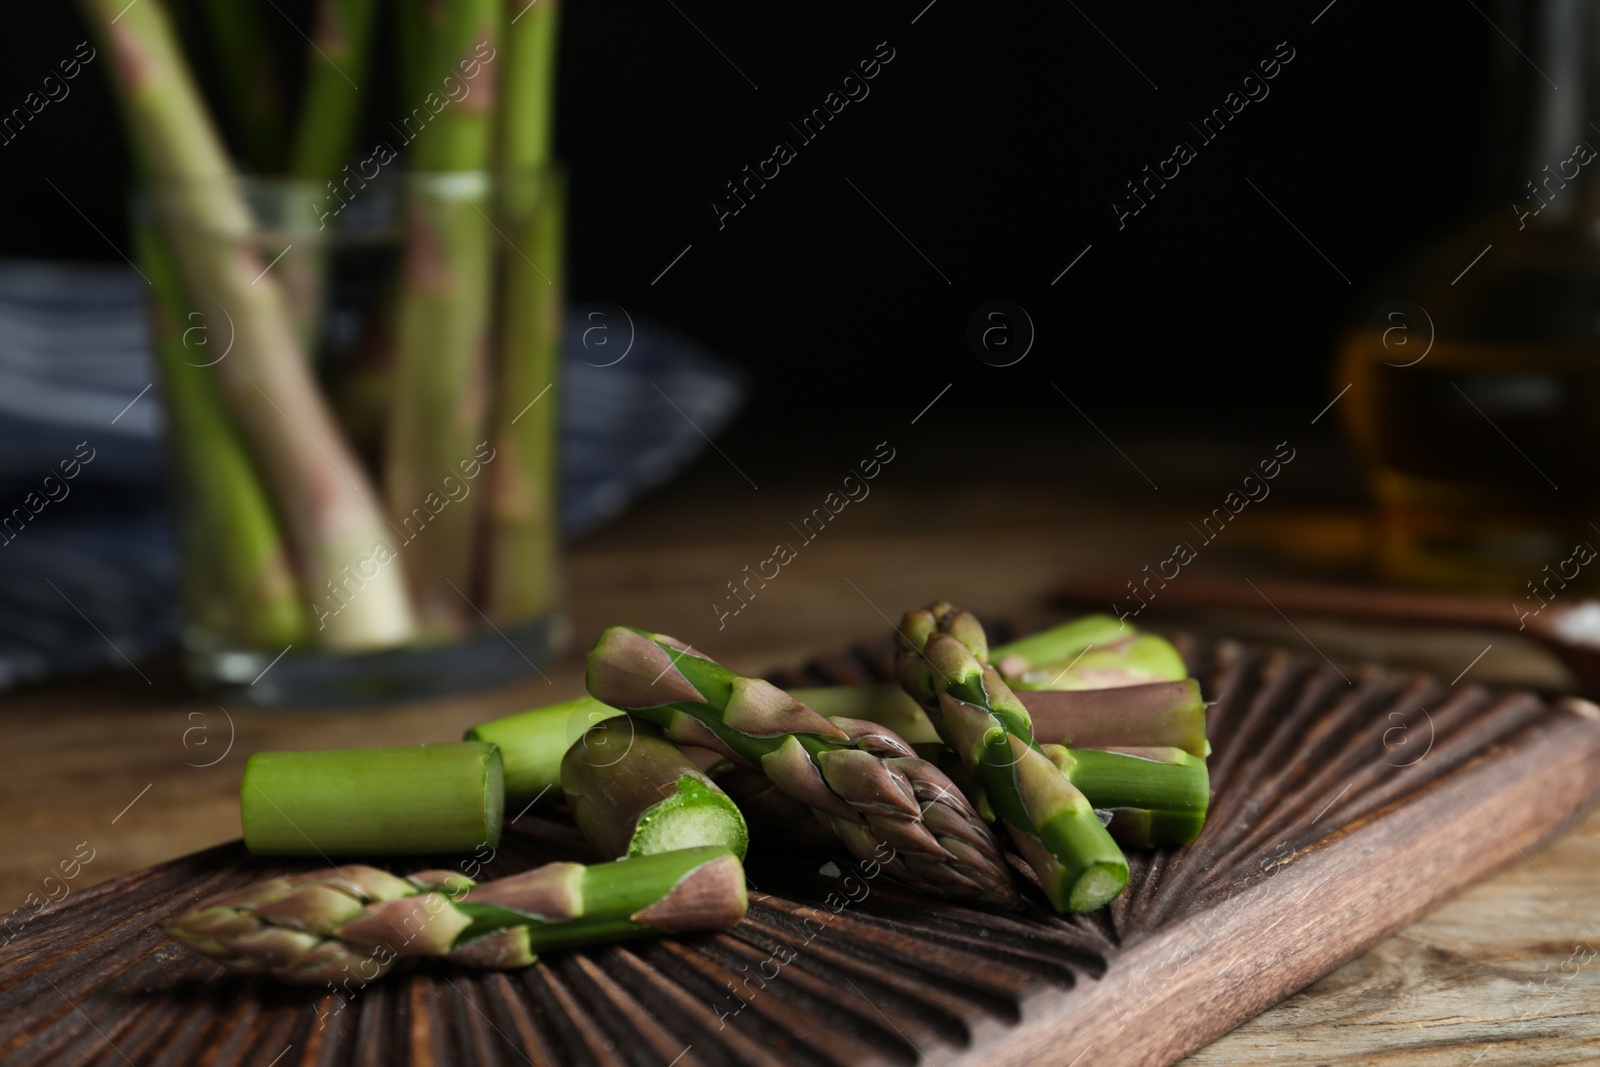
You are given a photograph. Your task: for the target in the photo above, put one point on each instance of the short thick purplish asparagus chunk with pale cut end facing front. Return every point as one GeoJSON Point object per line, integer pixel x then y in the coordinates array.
{"type": "Point", "coordinates": [636, 794]}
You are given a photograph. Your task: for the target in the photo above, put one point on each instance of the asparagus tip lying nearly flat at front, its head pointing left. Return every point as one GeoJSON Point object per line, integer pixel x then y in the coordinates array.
{"type": "Point", "coordinates": [354, 924]}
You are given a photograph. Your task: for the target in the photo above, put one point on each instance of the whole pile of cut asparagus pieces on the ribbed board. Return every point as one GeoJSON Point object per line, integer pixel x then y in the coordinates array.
{"type": "Point", "coordinates": [1076, 741]}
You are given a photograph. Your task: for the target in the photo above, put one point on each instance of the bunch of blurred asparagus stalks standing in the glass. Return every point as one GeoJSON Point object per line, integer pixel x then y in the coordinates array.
{"type": "Point", "coordinates": [306, 487]}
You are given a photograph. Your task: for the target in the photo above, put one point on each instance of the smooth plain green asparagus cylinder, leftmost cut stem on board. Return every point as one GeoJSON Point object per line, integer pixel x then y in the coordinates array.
{"type": "Point", "coordinates": [374, 802]}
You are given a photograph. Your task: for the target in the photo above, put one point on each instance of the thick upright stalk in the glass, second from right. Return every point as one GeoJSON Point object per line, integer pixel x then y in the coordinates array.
{"type": "Point", "coordinates": [439, 406]}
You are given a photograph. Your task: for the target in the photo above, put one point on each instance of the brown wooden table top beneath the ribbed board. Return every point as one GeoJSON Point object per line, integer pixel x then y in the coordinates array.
{"type": "Point", "coordinates": [135, 772]}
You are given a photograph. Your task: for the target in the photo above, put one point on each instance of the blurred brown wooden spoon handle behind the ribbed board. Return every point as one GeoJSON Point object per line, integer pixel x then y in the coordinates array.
{"type": "Point", "coordinates": [1350, 602]}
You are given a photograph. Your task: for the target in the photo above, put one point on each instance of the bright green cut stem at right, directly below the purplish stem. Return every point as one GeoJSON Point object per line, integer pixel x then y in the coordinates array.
{"type": "Point", "coordinates": [1156, 796]}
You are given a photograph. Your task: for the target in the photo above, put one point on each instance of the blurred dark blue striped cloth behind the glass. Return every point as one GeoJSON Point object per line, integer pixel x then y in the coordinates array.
{"type": "Point", "coordinates": [89, 565]}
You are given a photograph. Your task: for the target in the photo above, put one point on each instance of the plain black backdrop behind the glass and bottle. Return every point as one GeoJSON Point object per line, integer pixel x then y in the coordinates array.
{"type": "Point", "coordinates": [996, 142]}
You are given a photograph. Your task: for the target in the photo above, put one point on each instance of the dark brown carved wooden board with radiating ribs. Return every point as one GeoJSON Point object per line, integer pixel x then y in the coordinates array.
{"type": "Point", "coordinates": [1326, 837]}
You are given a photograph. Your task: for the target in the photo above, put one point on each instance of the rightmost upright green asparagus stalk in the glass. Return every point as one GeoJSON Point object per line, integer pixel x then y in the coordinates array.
{"type": "Point", "coordinates": [524, 522]}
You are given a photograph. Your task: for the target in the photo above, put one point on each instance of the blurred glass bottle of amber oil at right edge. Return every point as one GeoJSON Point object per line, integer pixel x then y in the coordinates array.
{"type": "Point", "coordinates": [1474, 382]}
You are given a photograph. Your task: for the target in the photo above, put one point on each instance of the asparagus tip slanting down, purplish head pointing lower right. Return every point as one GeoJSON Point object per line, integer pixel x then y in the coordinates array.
{"type": "Point", "coordinates": [884, 804]}
